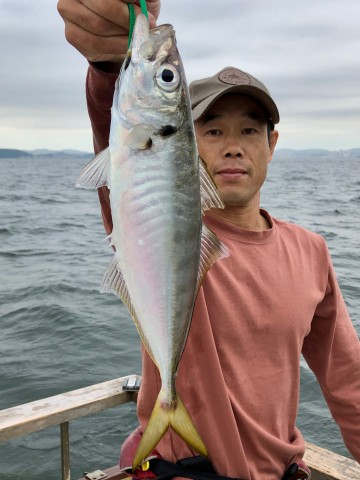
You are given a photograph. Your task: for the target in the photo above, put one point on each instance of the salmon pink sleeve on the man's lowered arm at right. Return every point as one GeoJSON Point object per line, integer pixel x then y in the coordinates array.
{"type": "Point", "coordinates": [332, 351]}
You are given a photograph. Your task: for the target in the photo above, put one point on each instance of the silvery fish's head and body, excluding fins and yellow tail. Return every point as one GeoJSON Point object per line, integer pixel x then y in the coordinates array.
{"type": "Point", "coordinates": [155, 199]}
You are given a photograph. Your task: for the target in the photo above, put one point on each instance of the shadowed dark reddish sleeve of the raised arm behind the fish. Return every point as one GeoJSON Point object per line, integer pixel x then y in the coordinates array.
{"type": "Point", "coordinates": [99, 95]}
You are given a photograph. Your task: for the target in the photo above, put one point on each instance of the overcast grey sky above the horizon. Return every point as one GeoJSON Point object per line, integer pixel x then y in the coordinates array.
{"type": "Point", "coordinates": [307, 53]}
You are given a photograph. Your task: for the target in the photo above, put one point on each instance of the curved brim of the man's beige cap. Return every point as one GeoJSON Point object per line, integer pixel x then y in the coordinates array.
{"type": "Point", "coordinates": [269, 105]}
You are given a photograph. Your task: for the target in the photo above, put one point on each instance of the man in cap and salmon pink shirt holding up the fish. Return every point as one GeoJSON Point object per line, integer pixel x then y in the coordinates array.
{"type": "Point", "coordinates": [275, 297]}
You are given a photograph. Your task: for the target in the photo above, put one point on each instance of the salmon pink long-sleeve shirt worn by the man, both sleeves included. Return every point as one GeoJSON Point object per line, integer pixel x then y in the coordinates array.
{"type": "Point", "coordinates": [274, 298]}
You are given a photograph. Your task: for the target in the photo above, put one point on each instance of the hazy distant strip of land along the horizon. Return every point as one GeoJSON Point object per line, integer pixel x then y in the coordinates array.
{"type": "Point", "coordinates": [284, 153]}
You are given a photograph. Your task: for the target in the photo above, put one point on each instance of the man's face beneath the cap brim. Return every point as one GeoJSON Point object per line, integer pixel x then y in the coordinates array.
{"type": "Point", "coordinates": [233, 141]}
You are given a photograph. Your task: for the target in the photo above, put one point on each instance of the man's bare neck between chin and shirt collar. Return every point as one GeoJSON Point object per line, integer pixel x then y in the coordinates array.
{"type": "Point", "coordinates": [248, 218]}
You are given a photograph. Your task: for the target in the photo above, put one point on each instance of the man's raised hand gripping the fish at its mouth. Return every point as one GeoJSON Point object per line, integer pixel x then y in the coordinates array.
{"type": "Point", "coordinates": [99, 28]}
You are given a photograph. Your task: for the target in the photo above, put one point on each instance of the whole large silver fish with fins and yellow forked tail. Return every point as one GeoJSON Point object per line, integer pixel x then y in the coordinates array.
{"type": "Point", "coordinates": [158, 191]}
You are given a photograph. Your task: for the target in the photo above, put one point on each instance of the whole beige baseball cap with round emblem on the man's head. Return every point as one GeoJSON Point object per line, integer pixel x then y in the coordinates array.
{"type": "Point", "coordinates": [205, 92]}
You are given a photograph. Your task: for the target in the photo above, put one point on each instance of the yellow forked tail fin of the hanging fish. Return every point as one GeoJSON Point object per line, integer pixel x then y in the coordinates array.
{"type": "Point", "coordinates": [160, 420]}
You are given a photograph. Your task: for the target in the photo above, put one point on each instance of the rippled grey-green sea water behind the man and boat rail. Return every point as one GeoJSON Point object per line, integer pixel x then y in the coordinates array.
{"type": "Point", "coordinates": [58, 333]}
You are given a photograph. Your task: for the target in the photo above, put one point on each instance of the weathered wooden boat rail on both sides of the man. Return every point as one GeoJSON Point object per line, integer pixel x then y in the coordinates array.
{"type": "Point", "coordinates": [61, 409]}
